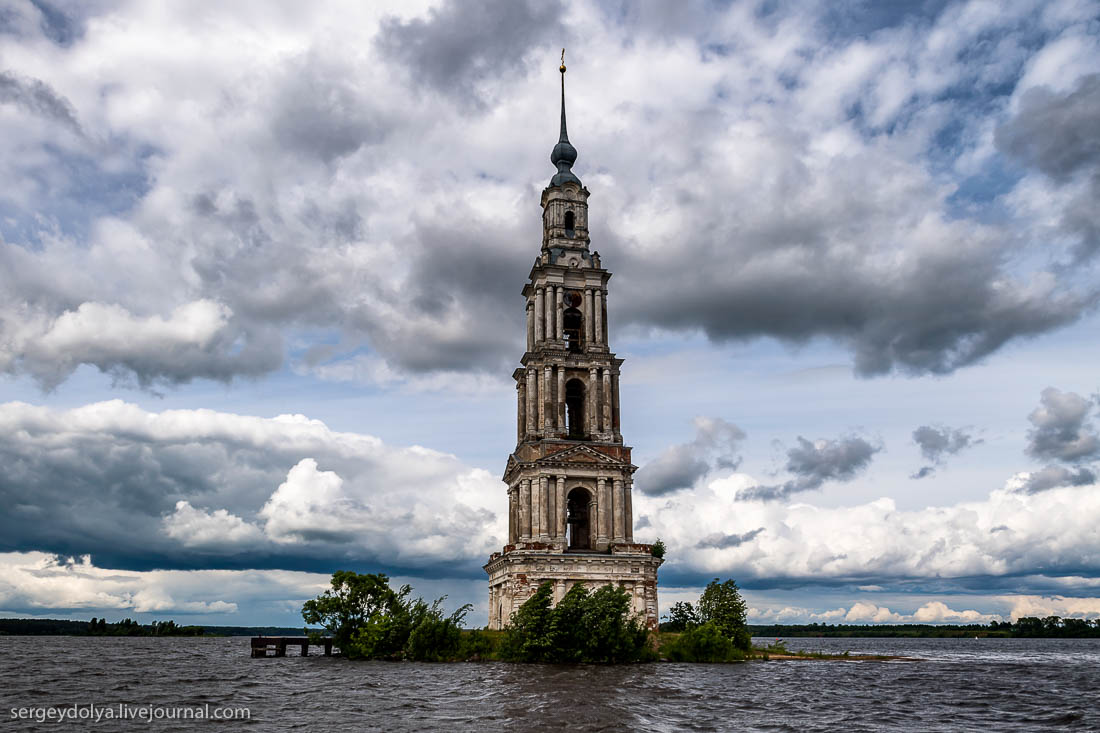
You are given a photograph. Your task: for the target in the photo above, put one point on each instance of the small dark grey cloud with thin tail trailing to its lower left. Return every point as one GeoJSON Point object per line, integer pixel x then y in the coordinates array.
{"type": "Point", "coordinates": [815, 464]}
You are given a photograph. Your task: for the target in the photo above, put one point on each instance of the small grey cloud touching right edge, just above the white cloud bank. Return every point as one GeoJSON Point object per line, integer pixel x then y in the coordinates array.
{"type": "Point", "coordinates": [1063, 431]}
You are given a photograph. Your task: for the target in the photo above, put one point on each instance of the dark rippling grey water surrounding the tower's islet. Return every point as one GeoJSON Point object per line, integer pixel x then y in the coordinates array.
{"type": "Point", "coordinates": [959, 685]}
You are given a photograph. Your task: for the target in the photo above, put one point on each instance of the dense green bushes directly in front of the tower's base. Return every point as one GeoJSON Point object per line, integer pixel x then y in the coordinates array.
{"type": "Point", "coordinates": [590, 627]}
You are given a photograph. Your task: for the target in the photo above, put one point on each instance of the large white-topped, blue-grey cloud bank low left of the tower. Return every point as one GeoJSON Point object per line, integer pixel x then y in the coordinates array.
{"type": "Point", "coordinates": [200, 489]}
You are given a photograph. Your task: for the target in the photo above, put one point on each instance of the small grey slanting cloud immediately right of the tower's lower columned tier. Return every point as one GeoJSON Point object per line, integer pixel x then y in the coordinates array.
{"type": "Point", "coordinates": [681, 466]}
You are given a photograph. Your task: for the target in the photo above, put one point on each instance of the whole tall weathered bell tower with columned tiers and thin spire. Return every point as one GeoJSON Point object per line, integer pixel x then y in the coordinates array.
{"type": "Point", "coordinates": [569, 479]}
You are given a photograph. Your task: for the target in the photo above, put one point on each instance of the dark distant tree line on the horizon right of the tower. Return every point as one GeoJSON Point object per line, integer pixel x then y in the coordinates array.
{"type": "Point", "coordinates": [1024, 628]}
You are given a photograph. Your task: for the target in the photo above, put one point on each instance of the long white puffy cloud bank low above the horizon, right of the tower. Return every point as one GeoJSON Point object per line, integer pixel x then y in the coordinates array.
{"type": "Point", "coordinates": [1010, 537]}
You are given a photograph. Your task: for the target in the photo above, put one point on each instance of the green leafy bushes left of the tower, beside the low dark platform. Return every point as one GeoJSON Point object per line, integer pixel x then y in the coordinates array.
{"type": "Point", "coordinates": [369, 620]}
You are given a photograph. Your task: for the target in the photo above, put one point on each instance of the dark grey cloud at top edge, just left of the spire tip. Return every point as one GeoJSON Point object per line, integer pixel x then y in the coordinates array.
{"type": "Point", "coordinates": [461, 46]}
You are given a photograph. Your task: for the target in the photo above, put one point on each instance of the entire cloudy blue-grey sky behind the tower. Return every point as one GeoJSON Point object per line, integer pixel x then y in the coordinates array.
{"type": "Point", "coordinates": [260, 298]}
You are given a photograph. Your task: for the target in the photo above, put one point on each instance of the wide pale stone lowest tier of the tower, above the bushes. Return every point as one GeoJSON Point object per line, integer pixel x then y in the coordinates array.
{"type": "Point", "coordinates": [518, 573]}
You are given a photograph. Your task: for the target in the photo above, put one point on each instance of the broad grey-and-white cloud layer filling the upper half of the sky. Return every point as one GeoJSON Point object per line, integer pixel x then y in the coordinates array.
{"type": "Point", "coordinates": [366, 184]}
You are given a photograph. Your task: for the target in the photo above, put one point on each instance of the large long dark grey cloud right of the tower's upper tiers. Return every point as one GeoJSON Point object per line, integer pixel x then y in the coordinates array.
{"type": "Point", "coordinates": [934, 316]}
